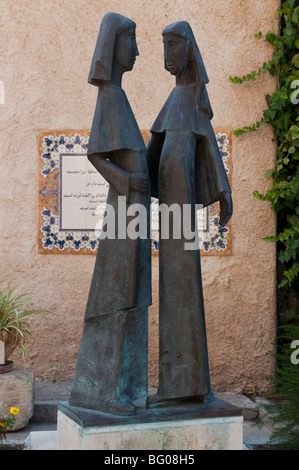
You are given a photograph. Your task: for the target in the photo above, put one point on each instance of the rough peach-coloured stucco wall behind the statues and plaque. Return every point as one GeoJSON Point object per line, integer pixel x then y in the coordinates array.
{"type": "Point", "coordinates": [45, 54]}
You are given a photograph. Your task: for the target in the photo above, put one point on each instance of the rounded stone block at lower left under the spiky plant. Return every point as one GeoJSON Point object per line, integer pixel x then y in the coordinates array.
{"type": "Point", "coordinates": [17, 390]}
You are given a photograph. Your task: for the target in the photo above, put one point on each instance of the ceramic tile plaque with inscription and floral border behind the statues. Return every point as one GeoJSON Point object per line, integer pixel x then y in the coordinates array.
{"type": "Point", "coordinates": [72, 198]}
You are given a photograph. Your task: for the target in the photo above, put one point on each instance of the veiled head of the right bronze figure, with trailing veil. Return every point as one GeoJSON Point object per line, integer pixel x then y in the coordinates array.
{"type": "Point", "coordinates": [180, 52]}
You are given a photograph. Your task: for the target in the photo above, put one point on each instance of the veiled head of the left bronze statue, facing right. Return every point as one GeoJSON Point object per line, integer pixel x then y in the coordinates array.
{"type": "Point", "coordinates": [116, 44]}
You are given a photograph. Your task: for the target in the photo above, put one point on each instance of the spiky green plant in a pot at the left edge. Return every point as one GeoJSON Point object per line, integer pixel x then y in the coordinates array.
{"type": "Point", "coordinates": [14, 310]}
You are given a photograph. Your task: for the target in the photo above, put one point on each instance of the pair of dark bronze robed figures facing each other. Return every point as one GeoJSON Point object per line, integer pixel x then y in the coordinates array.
{"type": "Point", "coordinates": [181, 165]}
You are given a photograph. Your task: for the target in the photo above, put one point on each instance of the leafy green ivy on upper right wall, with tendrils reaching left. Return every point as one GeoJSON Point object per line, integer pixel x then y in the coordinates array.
{"type": "Point", "coordinates": [283, 114]}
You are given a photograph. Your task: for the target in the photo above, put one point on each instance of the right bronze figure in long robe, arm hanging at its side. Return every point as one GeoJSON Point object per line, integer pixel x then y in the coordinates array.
{"type": "Point", "coordinates": [185, 168]}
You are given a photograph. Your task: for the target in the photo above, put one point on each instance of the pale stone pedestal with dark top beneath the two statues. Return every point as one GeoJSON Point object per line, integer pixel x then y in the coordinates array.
{"type": "Point", "coordinates": [213, 426]}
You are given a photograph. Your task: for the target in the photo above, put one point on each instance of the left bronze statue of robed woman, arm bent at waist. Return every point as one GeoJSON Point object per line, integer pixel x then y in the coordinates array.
{"type": "Point", "coordinates": [112, 367]}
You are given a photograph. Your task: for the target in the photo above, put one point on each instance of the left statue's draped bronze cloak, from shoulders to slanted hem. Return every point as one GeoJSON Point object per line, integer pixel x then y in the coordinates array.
{"type": "Point", "coordinates": [122, 277]}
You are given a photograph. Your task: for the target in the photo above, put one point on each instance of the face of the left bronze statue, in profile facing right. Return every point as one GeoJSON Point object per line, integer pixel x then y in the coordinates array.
{"type": "Point", "coordinates": [125, 49]}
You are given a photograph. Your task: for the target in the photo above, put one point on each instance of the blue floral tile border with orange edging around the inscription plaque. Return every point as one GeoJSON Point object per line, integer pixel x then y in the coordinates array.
{"type": "Point", "coordinates": [214, 239]}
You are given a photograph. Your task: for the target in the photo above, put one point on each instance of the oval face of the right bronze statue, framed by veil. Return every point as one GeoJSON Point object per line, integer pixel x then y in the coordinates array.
{"type": "Point", "coordinates": [176, 53]}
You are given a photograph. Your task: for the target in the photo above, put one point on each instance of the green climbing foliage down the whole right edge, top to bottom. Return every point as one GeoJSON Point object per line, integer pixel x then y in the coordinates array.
{"type": "Point", "coordinates": [282, 114]}
